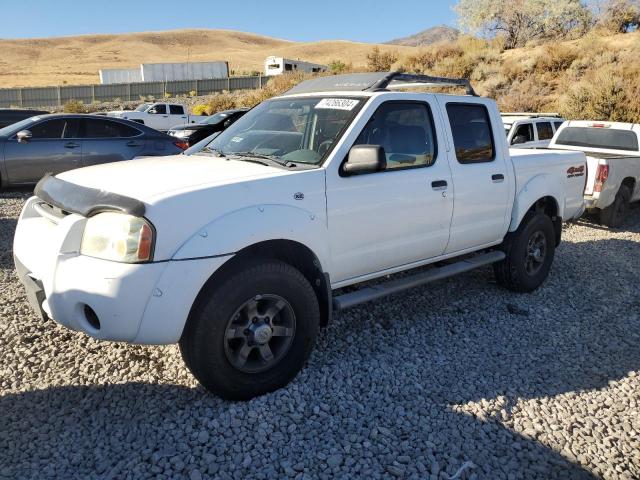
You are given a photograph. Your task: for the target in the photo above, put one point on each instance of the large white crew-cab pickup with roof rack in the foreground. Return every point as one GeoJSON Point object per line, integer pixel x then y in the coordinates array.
{"type": "Point", "coordinates": [241, 251]}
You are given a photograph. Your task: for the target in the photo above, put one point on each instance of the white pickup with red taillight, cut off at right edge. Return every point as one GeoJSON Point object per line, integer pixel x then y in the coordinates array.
{"type": "Point", "coordinates": [613, 165]}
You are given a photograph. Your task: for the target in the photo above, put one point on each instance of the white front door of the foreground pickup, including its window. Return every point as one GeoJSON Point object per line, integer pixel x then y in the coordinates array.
{"type": "Point", "coordinates": [378, 221]}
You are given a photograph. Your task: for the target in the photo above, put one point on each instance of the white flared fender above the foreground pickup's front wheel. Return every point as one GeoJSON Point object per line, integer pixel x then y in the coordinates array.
{"type": "Point", "coordinates": [248, 226]}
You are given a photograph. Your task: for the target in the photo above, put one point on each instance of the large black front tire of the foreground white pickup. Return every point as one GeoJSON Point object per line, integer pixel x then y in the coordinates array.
{"type": "Point", "coordinates": [208, 351]}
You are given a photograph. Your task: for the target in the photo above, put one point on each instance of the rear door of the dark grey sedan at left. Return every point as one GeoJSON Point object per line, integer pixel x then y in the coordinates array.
{"type": "Point", "coordinates": [105, 141]}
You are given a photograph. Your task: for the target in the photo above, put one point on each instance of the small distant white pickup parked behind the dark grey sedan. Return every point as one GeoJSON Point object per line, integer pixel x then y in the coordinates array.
{"type": "Point", "coordinates": [161, 116]}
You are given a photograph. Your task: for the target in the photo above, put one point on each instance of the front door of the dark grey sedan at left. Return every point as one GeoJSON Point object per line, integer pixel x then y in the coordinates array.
{"type": "Point", "coordinates": [53, 148]}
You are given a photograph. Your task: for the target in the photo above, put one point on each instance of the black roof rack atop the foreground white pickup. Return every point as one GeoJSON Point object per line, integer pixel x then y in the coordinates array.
{"type": "Point", "coordinates": [376, 82]}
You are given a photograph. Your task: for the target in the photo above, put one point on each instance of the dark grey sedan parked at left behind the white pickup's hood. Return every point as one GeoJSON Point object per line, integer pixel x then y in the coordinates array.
{"type": "Point", "coordinates": [56, 143]}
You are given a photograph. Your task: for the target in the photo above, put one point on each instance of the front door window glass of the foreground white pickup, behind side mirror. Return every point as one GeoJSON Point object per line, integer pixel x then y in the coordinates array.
{"type": "Point", "coordinates": [405, 131]}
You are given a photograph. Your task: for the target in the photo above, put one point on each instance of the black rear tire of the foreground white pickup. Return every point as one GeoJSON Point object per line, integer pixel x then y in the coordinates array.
{"type": "Point", "coordinates": [514, 272]}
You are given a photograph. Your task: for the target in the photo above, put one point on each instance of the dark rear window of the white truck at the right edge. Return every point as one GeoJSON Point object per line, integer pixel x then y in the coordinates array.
{"type": "Point", "coordinates": [605, 138]}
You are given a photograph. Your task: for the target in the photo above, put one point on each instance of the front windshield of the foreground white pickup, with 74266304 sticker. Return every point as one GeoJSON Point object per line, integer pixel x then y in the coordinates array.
{"type": "Point", "coordinates": [289, 131]}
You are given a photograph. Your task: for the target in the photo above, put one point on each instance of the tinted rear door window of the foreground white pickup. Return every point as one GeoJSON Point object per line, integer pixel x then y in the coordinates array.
{"type": "Point", "coordinates": [471, 129]}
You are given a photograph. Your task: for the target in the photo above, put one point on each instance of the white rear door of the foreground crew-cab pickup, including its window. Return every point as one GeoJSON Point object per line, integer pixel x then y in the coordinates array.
{"type": "Point", "coordinates": [482, 176]}
